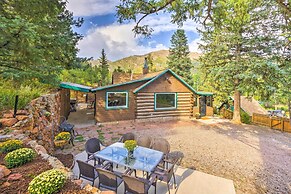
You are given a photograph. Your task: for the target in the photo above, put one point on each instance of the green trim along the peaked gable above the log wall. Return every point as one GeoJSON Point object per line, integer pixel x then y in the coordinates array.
{"type": "Point", "coordinates": [177, 77]}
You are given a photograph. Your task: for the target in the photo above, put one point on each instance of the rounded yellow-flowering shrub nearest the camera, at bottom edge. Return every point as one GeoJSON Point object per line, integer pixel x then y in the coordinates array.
{"type": "Point", "coordinates": [47, 182]}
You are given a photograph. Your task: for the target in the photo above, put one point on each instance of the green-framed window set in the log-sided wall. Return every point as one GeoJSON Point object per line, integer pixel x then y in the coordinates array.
{"type": "Point", "coordinates": [165, 101]}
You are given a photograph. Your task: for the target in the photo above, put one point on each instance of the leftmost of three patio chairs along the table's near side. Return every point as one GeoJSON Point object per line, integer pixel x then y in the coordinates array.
{"type": "Point", "coordinates": [87, 171]}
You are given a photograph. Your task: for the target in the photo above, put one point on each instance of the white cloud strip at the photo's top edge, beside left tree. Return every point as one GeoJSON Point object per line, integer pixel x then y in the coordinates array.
{"type": "Point", "coordinates": [91, 7]}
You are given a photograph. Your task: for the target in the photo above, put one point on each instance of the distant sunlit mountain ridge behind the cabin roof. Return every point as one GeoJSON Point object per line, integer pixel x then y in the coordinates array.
{"type": "Point", "coordinates": [136, 61]}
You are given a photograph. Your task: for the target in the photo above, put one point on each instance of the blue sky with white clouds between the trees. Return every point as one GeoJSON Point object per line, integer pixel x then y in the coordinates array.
{"type": "Point", "coordinates": [102, 31]}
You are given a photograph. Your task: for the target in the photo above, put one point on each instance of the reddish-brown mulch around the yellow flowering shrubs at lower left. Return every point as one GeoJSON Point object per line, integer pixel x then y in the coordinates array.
{"type": "Point", "coordinates": [34, 168]}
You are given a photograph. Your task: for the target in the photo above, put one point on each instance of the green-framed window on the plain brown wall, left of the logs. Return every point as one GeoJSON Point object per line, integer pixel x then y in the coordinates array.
{"type": "Point", "coordinates": [116, 100]}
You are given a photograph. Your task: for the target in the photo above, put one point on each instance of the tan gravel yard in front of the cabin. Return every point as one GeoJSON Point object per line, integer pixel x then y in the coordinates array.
{"type": "Point", "coordinates": [257, 159]}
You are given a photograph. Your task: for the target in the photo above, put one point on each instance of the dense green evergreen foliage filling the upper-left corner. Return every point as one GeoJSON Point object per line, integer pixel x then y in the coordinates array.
{"type": "Point", "coordinates": [36, 40]}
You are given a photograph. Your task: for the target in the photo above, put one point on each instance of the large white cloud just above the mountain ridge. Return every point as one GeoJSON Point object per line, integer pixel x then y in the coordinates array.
{"type": "Point", "coordinates": [117, 40]}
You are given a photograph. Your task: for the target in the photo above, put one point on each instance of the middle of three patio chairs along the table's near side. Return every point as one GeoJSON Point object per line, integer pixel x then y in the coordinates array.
{"type": "Point", "coordinates": [108, 179]}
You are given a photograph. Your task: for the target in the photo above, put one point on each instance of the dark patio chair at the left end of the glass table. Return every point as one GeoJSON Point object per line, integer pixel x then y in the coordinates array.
{"type": "Point", "coordinates": [92, 146]}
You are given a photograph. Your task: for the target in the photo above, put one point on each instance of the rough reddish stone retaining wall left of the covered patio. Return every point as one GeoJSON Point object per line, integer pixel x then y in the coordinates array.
{"type": "Point", "coordinates": [39, 120]}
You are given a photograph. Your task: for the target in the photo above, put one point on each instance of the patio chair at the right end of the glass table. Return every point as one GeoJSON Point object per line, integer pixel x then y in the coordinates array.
{"type": "Point", "coordinates": [166, 175]}
